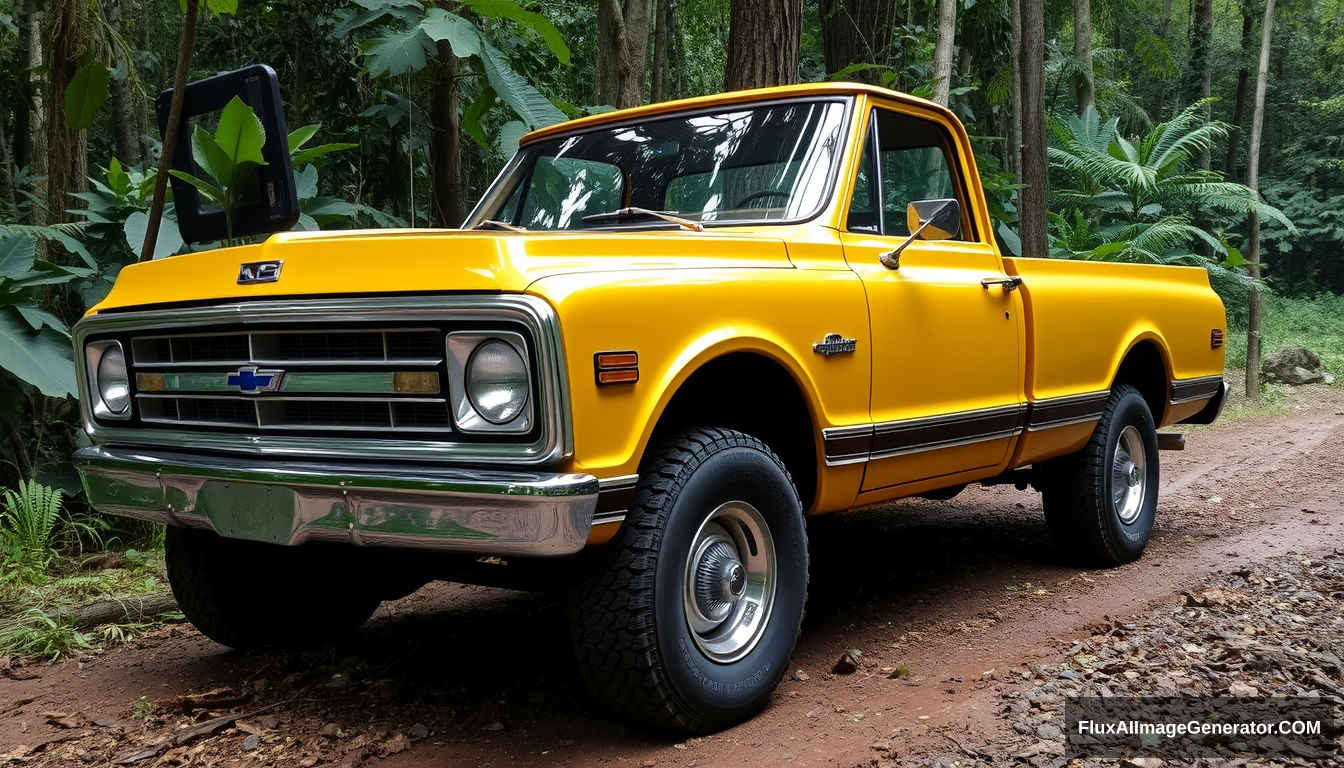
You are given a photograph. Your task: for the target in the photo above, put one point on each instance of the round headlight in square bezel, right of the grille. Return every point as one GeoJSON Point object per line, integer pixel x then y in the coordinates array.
{"type": "Point", "coordinates": [490, 383]}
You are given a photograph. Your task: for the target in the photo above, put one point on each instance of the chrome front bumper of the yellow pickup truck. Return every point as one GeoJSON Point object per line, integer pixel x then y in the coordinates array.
{"type": "Point", "coordinates": [287, 502]}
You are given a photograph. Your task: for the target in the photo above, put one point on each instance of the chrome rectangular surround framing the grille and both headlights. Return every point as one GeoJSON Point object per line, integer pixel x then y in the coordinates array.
{"type": "Point", "coordinates": [552, 407]}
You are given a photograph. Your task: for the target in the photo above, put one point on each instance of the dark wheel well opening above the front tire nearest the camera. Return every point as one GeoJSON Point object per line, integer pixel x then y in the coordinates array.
{"type": "Point", "coordinates": [756, 396]}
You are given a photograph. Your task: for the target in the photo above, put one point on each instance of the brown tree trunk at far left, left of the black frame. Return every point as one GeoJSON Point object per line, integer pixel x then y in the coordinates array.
{"type": "Point", "coordinates": [68, 150]}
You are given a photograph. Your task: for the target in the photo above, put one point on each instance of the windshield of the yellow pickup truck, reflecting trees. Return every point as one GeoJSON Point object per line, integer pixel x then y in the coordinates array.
{"type": "Point", "coordinates": [747, 165]}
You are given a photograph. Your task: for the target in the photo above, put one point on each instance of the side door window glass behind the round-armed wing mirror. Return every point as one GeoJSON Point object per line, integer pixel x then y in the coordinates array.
{"type": "Point", "coordinates": [912, 162]}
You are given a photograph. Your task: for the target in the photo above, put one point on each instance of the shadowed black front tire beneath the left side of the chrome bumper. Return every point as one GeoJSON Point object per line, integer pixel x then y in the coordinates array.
{"type": "Point", "coordinates": [249, 595]}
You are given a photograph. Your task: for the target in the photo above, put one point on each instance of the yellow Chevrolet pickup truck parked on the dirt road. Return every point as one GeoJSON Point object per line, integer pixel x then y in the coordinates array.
{"type": "Point", "coordinates": [663, 340]}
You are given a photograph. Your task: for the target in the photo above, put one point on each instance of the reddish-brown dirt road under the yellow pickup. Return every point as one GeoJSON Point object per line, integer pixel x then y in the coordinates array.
{"type": "Point", "coordinates": [966, 598]}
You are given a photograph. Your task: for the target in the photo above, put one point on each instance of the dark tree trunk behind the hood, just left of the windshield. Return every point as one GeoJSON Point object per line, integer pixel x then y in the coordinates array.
{"type": "Point", "coordinates": [448, 193]}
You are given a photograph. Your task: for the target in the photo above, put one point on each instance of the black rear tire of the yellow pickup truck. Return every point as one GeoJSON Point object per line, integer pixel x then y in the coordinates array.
{"type": "Point", "coordinates": [1088, 525]}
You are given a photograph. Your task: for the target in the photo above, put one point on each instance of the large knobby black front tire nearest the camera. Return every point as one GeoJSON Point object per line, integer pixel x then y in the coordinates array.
{"type": "Point", "coordinates": [630, 614]}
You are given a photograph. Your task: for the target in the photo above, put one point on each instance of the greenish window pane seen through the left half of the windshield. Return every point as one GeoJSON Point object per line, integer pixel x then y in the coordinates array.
{"type": "Point", "coordinates": [564, 190]}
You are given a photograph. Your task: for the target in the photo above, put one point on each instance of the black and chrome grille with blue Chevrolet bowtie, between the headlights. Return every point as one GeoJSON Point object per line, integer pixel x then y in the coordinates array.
{"type": "Point", "coordinates": [299, 381]}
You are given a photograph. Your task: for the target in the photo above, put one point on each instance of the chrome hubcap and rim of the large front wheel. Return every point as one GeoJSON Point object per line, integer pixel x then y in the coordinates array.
{"type": "Point", "coordinates": [730, 582]}
